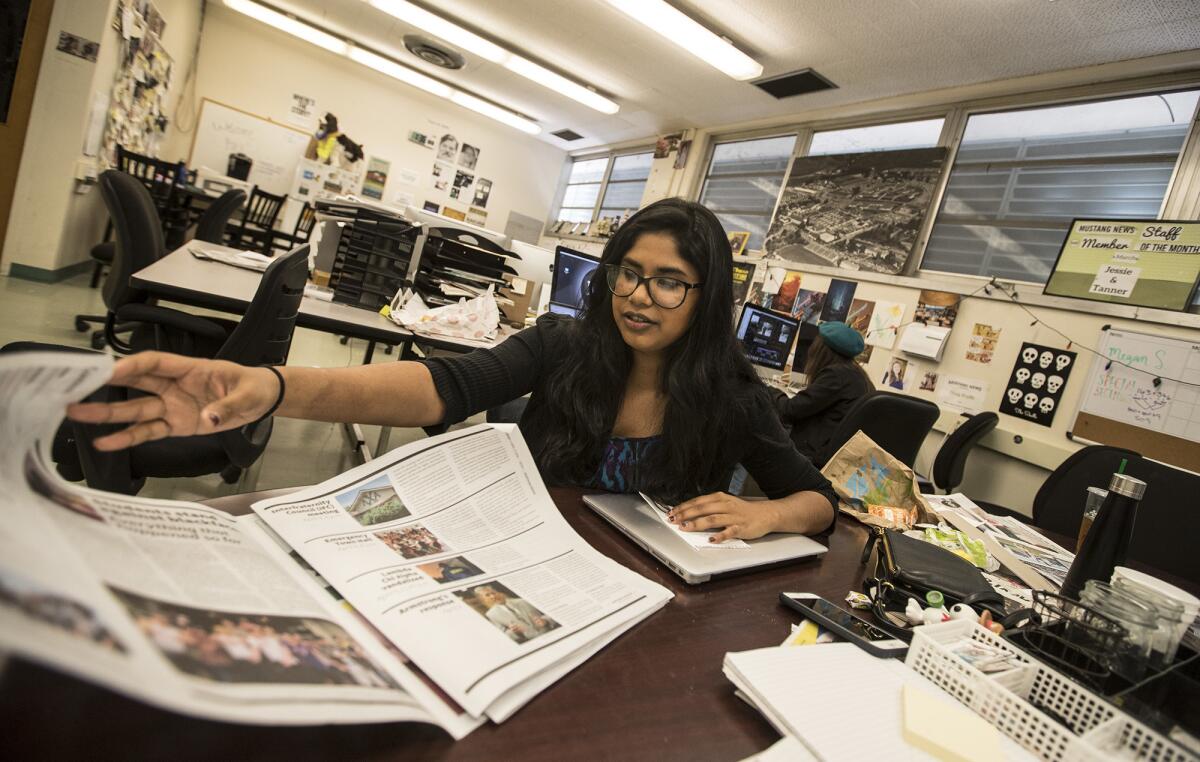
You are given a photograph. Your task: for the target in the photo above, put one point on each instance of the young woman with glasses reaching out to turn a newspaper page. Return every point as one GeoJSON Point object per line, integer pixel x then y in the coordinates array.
{"type": "Point", "coordinates": [647, 392]}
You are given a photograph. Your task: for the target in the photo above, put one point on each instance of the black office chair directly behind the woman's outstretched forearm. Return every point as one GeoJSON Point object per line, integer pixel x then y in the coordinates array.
{"type": "Point", "coordinates": [263, 338]}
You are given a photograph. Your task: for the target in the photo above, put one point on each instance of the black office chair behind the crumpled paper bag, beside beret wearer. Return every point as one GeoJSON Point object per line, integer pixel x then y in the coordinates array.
{"type": "Point", "coordinates": [895, 422]}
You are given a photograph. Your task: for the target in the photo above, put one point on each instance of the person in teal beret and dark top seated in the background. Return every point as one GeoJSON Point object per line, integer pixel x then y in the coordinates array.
{"type": "Point", "coordinates": [836, 385]}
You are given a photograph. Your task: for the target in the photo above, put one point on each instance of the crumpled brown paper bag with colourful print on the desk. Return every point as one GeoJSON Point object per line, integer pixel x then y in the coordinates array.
{"type": "Point", "coordinates": [875, 488]}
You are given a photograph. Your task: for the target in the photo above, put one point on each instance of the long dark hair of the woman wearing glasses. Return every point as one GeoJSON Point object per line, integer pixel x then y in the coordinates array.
{"type": "Point", "coordinates": [704, 373]}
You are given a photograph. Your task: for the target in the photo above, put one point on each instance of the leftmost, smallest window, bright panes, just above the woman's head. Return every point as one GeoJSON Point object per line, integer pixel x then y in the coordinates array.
{"type": "Point", "coordinates": [605, 187]}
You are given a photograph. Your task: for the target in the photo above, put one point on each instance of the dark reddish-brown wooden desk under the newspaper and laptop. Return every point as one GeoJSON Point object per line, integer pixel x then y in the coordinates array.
{"type": "Point", "coordinates": [657, 693]}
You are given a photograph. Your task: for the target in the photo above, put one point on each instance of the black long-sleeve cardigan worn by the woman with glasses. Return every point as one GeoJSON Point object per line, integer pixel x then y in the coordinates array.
{"type": "Point", "coordinates": [521, 365]}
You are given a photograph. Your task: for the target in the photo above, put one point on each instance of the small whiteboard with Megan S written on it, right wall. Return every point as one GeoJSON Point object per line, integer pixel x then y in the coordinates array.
{"type": "Point", "coordinates": [1121, 405]}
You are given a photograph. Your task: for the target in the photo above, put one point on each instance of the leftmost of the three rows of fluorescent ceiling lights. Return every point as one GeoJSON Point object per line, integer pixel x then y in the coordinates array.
{"type": "Point", "coordinates": [382, 64]}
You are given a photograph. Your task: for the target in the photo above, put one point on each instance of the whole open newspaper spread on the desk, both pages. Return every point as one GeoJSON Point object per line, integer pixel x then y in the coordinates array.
{"type": "Point", "coordinates": [437, 584]}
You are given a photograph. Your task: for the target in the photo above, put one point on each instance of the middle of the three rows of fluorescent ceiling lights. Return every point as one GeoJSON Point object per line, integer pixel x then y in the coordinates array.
{"type": "Point", "coordinates": [472, 43]}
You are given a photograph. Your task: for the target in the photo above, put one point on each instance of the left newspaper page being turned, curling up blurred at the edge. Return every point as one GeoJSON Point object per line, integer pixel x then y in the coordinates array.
{"type": "Point", "coordinates": [177, 604]}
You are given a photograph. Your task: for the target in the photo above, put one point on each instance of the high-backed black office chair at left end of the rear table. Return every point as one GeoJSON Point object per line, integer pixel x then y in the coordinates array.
{"type": "Point", "coordinates": [140, 244]}
